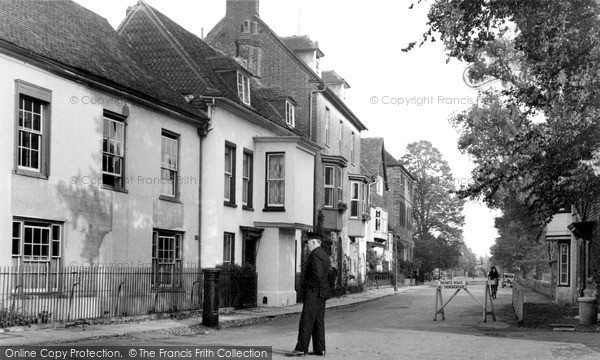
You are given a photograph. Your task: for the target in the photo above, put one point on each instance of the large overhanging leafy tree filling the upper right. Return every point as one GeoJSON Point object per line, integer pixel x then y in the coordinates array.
{"type": "Point", "coordinates": [547, 55]}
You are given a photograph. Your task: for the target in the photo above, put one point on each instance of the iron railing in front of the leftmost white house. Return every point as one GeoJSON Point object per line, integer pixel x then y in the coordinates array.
{"type": "Point", "coordinates": [73, 293]}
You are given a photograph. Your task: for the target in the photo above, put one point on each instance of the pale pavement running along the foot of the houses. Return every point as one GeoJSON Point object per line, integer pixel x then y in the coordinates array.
{"type": "Point", "coordinates": [57, 333]}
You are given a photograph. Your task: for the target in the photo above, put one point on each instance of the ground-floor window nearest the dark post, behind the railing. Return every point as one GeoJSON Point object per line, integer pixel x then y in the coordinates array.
{"type": "Point", "coordinates": [167, 258]}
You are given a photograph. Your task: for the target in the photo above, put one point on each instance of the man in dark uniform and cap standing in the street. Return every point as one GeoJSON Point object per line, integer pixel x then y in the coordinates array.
{"type": "Point", "coordinates": [316, 292]}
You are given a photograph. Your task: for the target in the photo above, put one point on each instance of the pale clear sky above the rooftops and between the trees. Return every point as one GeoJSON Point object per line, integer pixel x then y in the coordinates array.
{"type": "Point", "coordinates": [400, 96]}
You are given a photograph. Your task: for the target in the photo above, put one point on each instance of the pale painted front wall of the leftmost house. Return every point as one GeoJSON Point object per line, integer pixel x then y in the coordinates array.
{"type": "Point", "coordinates": [101, 226]}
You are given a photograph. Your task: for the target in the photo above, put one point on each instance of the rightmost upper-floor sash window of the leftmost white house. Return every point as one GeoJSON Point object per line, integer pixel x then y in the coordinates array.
{"type": "Point", "coordinates": [169, 164]}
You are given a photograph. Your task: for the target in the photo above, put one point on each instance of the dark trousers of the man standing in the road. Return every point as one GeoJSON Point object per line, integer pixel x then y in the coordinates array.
{"type": "Point", "coordinates": [312, 318]}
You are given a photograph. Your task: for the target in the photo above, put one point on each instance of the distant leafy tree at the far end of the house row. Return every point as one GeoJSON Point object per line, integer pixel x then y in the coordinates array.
{"type": "Point", "coordinates": [437, 210]}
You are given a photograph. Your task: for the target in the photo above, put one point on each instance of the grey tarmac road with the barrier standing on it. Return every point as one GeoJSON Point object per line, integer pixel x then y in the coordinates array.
{"type": "Point", "coordinates": [399, 327]}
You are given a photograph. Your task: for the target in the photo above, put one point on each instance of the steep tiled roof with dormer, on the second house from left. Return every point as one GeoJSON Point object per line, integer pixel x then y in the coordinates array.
{"type": "Point", "coordinates": [186, 61]}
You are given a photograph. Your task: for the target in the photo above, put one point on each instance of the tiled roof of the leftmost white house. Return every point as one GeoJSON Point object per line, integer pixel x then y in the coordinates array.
{"type": "Point", "coordinates": [84, 43]}
